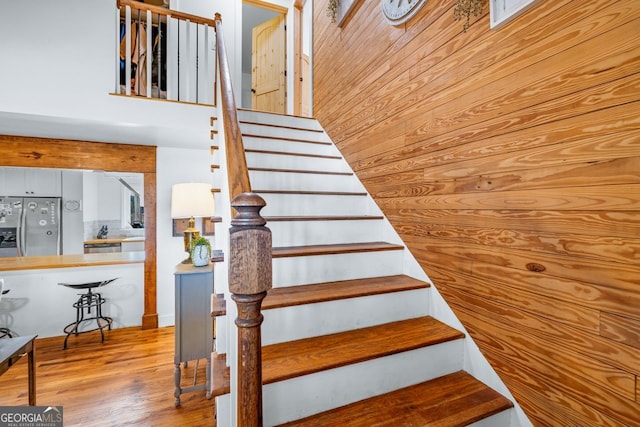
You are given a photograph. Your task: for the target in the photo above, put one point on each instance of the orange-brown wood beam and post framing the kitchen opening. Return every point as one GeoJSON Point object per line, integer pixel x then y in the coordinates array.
{"type": "Point", "coordinates": [22, 151]}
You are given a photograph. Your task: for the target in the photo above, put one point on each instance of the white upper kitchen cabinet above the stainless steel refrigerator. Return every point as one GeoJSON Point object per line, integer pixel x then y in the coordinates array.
{"type": "Point", "coordinates": [34, 182]}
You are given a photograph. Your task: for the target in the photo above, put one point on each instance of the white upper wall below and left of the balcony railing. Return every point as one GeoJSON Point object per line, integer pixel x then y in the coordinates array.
{"type": "Point", "coordinates": [58, 72]}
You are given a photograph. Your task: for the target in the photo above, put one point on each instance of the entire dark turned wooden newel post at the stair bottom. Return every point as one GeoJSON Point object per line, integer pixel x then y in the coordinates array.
{"type": "Point", "coordinates": [249, 281]}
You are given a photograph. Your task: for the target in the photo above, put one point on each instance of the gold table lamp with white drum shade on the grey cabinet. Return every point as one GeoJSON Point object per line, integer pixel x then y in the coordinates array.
{"type": "Point", "coordinates": [191, 200]}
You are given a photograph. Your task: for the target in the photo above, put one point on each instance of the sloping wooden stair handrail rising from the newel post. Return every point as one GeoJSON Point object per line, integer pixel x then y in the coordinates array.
{"type": "Point", "coordinates": [236, 161]}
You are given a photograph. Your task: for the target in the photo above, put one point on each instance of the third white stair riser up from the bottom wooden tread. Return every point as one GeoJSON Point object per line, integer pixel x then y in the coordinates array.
{"type": "Point", "coordinates": [295, 271]}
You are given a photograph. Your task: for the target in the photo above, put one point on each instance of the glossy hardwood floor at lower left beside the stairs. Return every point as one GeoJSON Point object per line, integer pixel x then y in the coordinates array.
{"type": "Point", "coordinates": [127, 381]}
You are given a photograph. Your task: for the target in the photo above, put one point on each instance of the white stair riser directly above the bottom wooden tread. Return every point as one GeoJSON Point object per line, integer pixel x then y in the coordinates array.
{"type": "Point", "coordinates": [303, 396]}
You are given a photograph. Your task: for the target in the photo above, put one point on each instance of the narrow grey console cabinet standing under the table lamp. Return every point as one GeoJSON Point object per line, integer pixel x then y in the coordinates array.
{"type": "Point", "coordinates": [194, 325]}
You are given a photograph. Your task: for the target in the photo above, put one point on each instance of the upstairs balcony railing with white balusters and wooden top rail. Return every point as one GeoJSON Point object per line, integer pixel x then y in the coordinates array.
{"type": "Point", "coordinates": [164, 54]}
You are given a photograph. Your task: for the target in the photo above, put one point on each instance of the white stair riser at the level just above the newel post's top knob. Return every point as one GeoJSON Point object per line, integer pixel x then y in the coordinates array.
{"type": "Point", "coordinates": [302, 181]}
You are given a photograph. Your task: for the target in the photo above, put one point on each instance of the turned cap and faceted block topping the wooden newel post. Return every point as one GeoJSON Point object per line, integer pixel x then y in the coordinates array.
{"type": "Point", "coordinates": [249, 247]}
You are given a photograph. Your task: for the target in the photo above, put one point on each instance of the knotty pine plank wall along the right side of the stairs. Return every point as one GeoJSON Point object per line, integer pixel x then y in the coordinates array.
{"type": "Point", "coordinates": [509, 162]}
